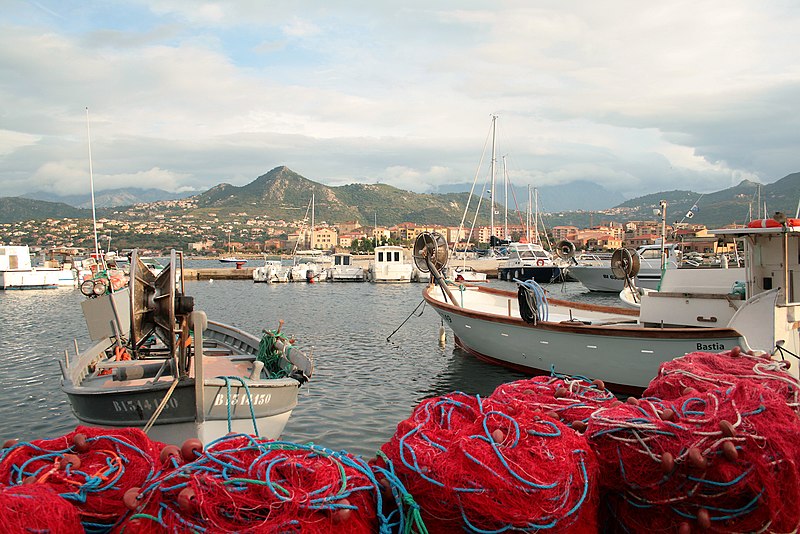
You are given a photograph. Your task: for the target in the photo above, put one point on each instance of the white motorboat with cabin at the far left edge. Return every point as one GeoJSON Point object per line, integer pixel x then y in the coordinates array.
{"type": "Point", "coordinates": [17, 271]}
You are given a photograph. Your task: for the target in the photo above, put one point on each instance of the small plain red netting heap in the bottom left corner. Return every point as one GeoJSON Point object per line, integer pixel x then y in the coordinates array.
{"type": "Point", "coordinates": [36, 508]}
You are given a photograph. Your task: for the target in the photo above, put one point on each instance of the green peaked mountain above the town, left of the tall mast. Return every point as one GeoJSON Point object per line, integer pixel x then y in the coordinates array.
{"type": "Point", "coordinates": [283, 194]}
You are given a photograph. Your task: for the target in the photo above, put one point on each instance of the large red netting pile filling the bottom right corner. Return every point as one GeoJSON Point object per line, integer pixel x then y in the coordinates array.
{"type": "Point", "coordinates": [725, 460]}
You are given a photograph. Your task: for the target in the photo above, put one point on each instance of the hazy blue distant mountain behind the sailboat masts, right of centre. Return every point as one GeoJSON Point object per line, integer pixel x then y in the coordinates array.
{"type": "Point", "coordinates": [578, 195]}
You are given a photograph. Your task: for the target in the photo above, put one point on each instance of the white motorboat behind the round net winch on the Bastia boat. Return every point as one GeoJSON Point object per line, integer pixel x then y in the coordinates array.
{"type": "Point", "coordinates": [600, 276]}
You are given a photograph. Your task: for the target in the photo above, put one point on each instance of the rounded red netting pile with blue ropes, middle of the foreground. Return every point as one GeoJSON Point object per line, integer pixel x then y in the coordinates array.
{"type": "Point", "coordinates": [473, 466]}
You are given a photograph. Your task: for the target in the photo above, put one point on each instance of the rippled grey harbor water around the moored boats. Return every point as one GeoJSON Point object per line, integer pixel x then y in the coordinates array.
{"type": "Point", "coordinates": [376, 349]}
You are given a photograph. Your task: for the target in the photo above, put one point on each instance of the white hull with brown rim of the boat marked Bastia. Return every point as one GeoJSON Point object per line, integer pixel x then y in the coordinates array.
{"type": "Point", "coordinates": [626, 356]}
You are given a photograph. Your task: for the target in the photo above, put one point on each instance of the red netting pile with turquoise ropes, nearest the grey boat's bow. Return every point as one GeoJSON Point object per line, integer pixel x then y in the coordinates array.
{"type": "Point", "coordinates": [241, 483]}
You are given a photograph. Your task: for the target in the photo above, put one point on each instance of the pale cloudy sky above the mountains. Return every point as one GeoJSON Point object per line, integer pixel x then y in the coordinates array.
{"type": "Point", "coordinates": [182, 95]}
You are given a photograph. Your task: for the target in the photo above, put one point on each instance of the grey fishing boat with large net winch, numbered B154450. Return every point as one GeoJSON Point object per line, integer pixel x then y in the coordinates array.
{"type": "Point", "coordinates": [160, 365]}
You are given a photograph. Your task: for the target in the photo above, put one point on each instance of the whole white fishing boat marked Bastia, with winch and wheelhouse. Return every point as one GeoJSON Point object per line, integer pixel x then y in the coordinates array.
{"type": "Point", "coordinates": [530, 331]}
